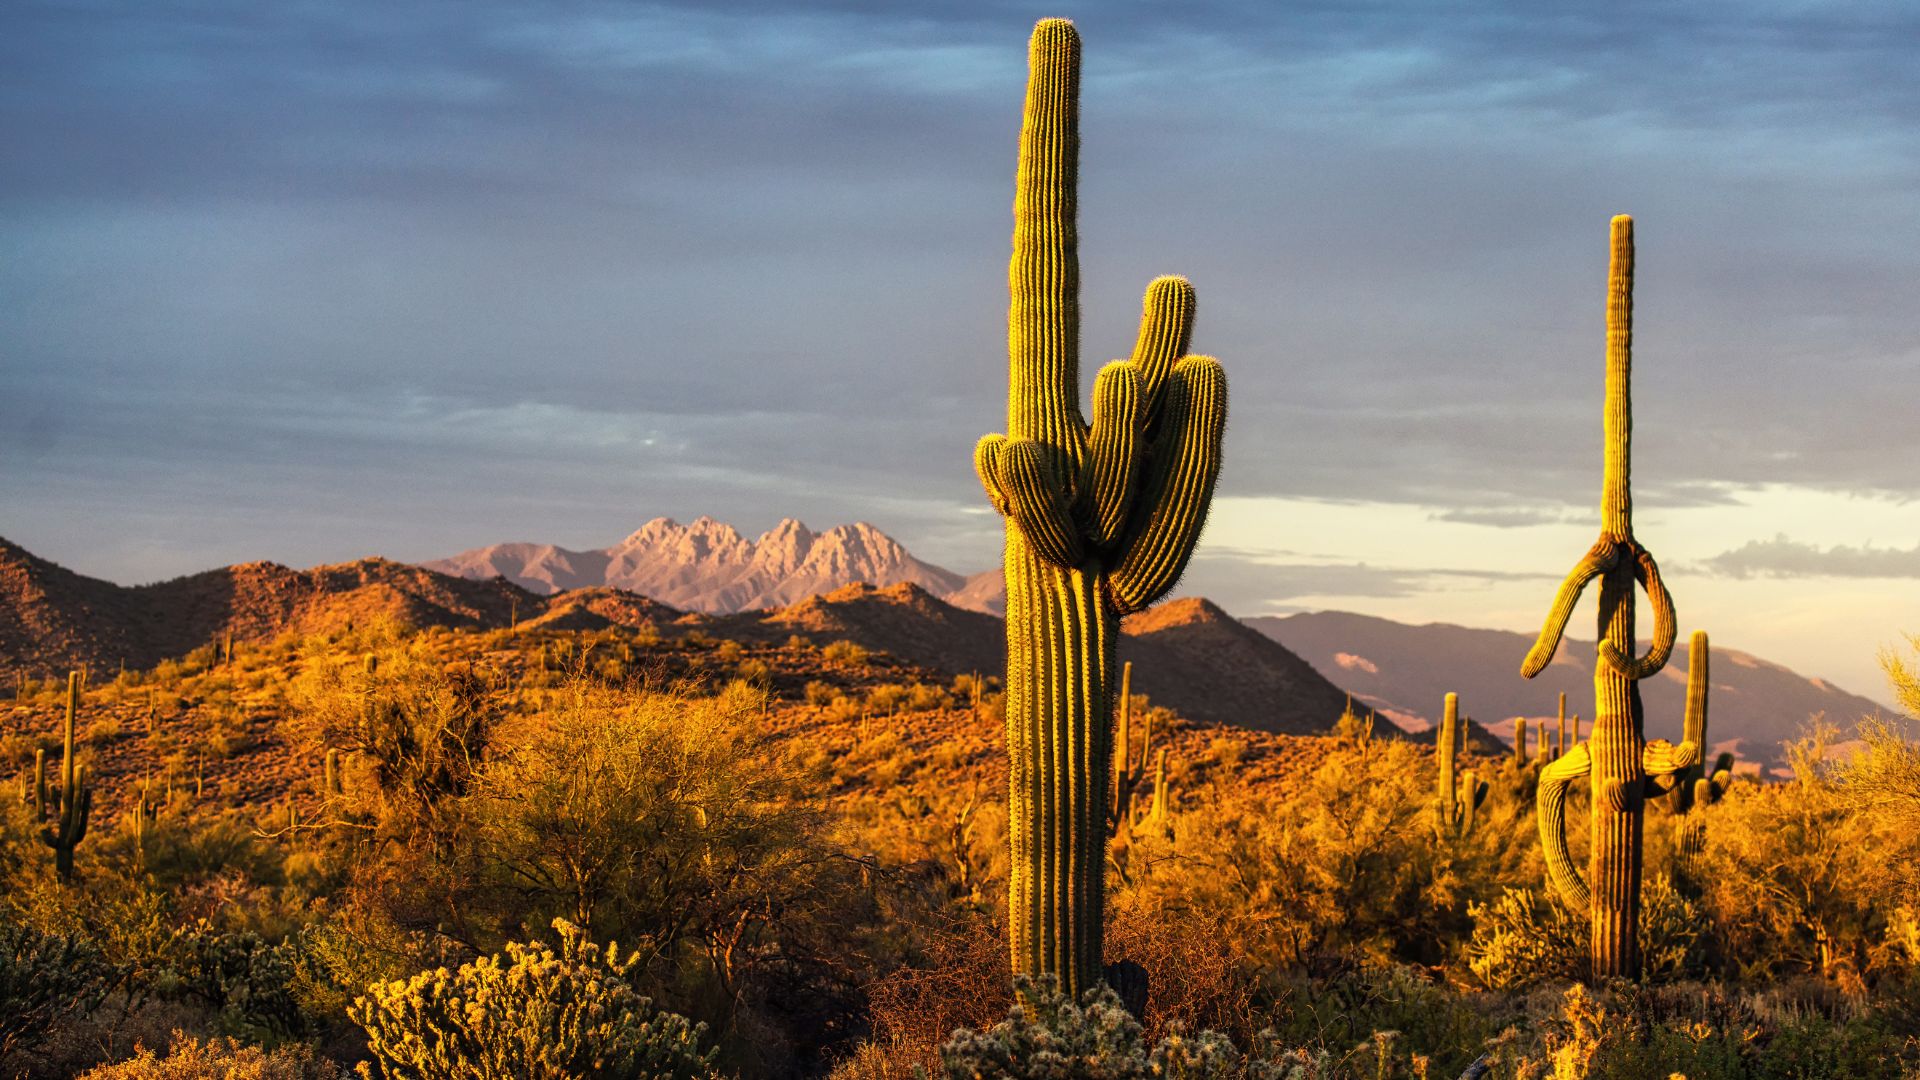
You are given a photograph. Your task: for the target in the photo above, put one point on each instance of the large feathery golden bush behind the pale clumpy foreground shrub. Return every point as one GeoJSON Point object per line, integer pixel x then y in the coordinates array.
{"type": "Point", "coordinates": [677, 825]}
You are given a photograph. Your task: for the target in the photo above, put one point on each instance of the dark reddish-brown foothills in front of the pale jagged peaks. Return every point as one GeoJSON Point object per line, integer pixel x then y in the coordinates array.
{"type": "Point", "coordinates": [1189, 654]}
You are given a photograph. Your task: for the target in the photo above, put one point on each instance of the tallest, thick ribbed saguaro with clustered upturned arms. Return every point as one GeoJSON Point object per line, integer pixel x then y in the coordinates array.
{"type": "Point", "coordinates": [1101, 522]}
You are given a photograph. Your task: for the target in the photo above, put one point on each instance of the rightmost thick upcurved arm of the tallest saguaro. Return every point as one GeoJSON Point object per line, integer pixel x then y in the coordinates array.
{"type": "Point", "coordinates": [1180, 485]}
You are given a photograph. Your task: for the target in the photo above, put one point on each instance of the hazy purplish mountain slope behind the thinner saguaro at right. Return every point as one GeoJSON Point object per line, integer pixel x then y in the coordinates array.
{"type": "Point", "coordinates": [1404, 672]}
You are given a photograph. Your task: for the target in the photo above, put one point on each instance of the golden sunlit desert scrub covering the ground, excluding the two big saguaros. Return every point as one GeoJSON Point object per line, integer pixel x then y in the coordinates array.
{"type": "Point", "coordinates": [732, 879]}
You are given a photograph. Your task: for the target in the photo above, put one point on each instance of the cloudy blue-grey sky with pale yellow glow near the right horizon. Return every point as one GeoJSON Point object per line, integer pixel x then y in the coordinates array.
{"type": "Point", "coordinates": [316, 282]}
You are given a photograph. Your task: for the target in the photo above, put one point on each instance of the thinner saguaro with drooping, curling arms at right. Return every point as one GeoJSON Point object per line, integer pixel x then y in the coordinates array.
{"type": "Point", "coordinates": [1618, 756]}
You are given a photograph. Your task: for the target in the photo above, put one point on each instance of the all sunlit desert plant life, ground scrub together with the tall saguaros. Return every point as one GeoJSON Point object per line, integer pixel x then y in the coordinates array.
{"type": "Point", "coordinates": [596, 850]}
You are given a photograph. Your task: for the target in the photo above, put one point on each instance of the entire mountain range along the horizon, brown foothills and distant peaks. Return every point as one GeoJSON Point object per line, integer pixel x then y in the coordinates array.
{"type": "Point", "coordinates": [1274, 674]}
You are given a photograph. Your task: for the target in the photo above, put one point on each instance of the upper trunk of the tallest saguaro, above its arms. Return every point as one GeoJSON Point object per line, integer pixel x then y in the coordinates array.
{"type": "Point", "coordinates": [1044, 276]}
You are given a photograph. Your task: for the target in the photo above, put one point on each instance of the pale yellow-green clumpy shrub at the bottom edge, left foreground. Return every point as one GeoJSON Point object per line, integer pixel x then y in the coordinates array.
{"type": "Point", "coordinates": [531, 1014]}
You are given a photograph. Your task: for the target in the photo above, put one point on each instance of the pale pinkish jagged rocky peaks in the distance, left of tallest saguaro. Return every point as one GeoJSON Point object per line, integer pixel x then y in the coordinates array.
{"type": "Point", "coordinates": [708, 566]}
